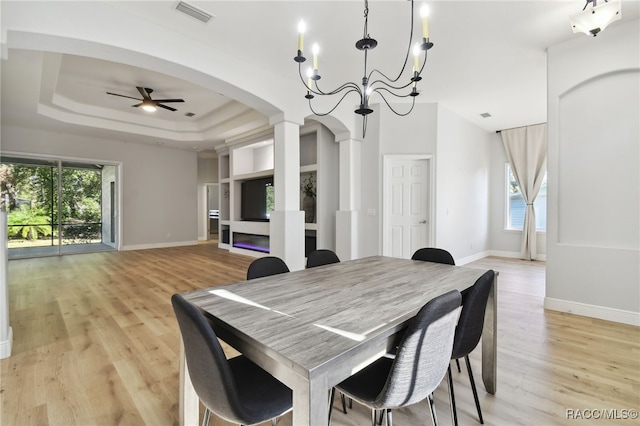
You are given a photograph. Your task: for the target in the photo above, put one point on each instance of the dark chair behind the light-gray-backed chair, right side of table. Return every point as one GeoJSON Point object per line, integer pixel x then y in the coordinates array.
{"type": "Point", "coordinates": [468, 333]}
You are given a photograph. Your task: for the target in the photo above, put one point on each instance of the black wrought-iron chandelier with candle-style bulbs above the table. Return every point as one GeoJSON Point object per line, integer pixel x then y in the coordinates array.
{"type": "Point", "coordinates": [373, 81]}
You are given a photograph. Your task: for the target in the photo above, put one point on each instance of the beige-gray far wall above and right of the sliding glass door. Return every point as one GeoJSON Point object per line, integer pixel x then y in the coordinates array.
{"type": "Point", "coordinates": [159, 183]}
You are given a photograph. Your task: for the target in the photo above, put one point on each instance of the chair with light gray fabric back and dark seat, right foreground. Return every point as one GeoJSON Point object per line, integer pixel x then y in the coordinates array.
{"type": "Point", "coordinates": [419, 366]}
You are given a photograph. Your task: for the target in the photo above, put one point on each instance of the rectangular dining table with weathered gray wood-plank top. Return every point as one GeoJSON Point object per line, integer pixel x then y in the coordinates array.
{"type": "Point", "coordinates": [313, 328]}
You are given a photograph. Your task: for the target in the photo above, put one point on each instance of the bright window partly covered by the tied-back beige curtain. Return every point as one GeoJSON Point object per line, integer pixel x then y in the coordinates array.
{"type": "Point", "coordinates": [516, 205]}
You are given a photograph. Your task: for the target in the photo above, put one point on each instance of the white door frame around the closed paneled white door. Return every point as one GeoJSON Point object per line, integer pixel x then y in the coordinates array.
{"type": "Point", "coordinates": [386, 196]}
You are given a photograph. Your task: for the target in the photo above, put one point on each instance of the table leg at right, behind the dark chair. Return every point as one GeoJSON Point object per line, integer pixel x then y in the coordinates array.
{"type": "Point", "coordinates": [490, 340]}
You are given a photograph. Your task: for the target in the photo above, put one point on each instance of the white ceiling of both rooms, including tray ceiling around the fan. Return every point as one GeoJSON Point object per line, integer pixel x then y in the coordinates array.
{"type": "Point", "coordinates": [489, 57]}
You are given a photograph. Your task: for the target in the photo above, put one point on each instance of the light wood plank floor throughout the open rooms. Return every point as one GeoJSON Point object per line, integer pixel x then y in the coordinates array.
{"type": "Point", "coordinates": [96, 342]}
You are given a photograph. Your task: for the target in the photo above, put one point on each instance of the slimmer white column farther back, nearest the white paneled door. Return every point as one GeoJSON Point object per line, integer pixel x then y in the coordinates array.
{"type": "Point", "coordinates": [350, 187]}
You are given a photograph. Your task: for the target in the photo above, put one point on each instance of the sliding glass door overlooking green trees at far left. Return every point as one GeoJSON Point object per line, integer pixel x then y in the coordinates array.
{"type": "Point", "coordinates": [57, 207]}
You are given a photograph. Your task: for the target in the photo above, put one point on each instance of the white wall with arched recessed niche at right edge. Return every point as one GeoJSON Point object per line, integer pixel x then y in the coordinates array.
{"type": "Point", "coordinates": [593, 262]}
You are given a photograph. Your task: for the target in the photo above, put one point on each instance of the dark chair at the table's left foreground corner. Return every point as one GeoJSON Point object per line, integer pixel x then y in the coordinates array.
{"type": "Point", "coordinates": [235, 389]}
